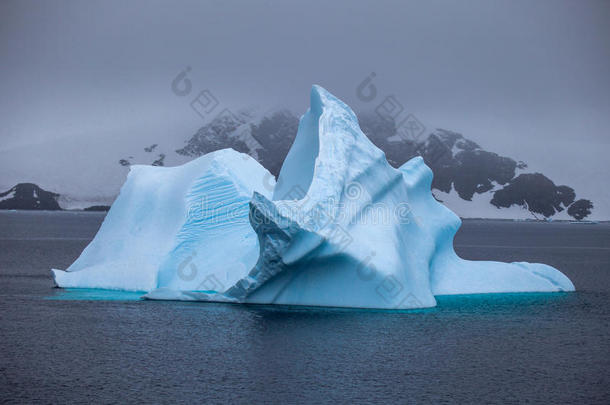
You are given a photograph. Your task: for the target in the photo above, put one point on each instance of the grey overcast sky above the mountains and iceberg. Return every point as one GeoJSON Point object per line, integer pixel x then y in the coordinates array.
{"type": "Point", "coordinates": [528, 79]}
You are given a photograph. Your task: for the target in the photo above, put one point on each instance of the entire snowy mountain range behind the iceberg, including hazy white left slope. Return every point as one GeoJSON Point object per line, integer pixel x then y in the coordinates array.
{"type": "Point", "coordinates": [473, 182]}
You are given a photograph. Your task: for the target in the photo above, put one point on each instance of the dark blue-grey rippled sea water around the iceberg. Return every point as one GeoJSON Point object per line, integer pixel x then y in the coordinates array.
{"type": "Point", "coordinates": [95, 347]}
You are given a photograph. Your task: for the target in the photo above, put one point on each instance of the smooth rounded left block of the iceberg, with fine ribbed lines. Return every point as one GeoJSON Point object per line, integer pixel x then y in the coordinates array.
{"type": "Point", "coordinates": [176, 228]}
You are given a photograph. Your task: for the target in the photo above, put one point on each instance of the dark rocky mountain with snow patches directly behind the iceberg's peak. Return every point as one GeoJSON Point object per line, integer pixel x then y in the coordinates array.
{"type": "Point", "coordinates": [470, 180]}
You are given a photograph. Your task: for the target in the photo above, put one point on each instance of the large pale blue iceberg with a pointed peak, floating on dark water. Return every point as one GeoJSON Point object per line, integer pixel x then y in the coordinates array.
{"type": "Point", "coordinates": [341, 228]}
